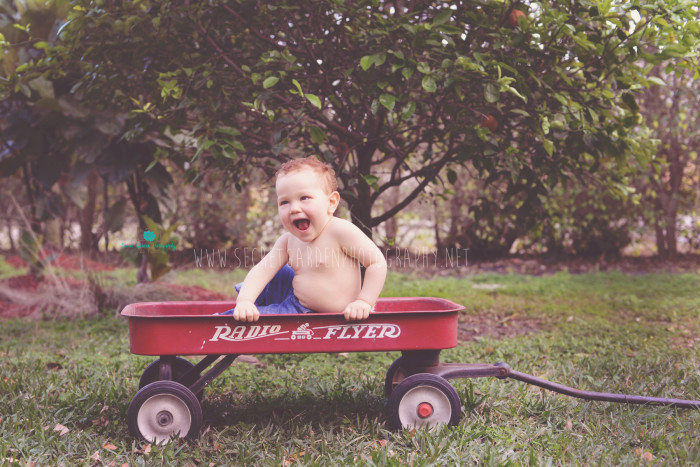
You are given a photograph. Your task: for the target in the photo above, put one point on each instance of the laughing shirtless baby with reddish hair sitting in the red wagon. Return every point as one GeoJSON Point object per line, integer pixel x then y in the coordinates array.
{"type": "Point", "coordinates": [315, 264]}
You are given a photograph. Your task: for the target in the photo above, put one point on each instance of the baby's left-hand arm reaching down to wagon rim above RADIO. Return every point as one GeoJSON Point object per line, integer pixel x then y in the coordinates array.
{"type": "Point", "coordinates": [257, 279]}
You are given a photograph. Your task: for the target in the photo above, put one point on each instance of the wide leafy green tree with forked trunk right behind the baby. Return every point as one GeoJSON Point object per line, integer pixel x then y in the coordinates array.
{"type": "Point", "coordinates": [388, 92]}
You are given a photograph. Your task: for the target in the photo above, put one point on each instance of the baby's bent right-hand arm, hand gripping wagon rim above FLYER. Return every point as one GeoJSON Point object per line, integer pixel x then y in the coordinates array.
{"type": "Point", "coordinates": [357, 245]}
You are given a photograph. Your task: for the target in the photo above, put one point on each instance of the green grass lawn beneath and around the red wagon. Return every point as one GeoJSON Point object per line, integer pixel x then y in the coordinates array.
{"type": "Point", "coordinates": [604, 332]}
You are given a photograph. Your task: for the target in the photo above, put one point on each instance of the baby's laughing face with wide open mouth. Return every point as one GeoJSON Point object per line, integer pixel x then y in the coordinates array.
{"type": "Point", "coordinates": [304, 204]}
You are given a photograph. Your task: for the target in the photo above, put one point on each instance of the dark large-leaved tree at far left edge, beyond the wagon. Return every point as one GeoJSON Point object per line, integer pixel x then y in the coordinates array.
{"type": "Point", "coordinates": [53, 135]}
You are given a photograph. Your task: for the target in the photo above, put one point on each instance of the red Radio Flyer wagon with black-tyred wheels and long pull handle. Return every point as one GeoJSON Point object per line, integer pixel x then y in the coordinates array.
{"type": "Point", "coordinates": [416, 384]}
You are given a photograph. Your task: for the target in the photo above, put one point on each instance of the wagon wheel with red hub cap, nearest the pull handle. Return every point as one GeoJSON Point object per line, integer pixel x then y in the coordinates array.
{"type": "Point", "coordinates": [424, 400]}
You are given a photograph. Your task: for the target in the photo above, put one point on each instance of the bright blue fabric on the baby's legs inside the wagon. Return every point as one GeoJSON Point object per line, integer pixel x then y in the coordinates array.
{"type": "Point", "coordinates": [277, 298]}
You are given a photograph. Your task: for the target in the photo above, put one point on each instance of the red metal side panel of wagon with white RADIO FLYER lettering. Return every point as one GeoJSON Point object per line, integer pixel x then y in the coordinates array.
{"type": "Point", "coordinates": [292, 334]}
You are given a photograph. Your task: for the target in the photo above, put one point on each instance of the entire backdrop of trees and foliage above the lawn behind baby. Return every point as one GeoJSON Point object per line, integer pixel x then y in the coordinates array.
{"type": "Point", "coordinates": [570, 129]}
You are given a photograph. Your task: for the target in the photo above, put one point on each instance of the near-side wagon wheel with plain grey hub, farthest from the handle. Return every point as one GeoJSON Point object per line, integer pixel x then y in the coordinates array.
{"type": "Point", "coordinates": [164, 409]}
